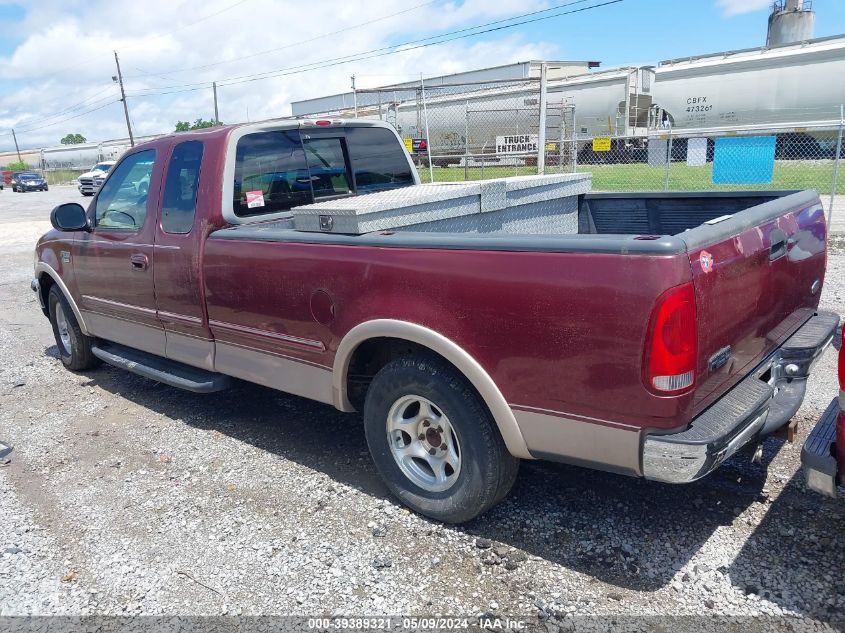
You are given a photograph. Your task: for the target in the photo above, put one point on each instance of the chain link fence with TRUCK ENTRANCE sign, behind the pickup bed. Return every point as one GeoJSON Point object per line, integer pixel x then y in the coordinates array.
{"type": "Point", "coordinates": [458, 132]}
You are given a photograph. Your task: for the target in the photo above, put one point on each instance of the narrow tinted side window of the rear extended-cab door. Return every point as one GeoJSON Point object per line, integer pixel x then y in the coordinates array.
{"type": "Point", "coordinates": [180, 188]}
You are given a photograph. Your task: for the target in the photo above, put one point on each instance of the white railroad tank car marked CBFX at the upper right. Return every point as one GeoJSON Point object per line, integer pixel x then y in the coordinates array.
{"type": "Point", "coordinates": [791, 86]}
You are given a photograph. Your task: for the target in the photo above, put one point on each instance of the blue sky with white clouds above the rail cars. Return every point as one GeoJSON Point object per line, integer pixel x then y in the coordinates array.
{"type": "Point", "coordinates": [56, 56]}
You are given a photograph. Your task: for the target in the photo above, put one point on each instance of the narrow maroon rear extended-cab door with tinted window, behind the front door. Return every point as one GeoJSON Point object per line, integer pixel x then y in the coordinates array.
{"type": "Point", "coordinates": [179, 242]}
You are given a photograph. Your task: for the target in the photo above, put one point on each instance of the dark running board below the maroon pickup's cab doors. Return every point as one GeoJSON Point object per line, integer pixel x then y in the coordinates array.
{"type": "Point", "coordinates": [164, 370]}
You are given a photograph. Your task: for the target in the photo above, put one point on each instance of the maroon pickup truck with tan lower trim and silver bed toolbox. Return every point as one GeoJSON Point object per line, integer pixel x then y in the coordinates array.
{"type": "Point", "coordinates": [662, 334]}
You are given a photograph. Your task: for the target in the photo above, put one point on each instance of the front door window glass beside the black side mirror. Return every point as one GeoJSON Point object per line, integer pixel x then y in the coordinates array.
{"type": "Point", "coordinates": [122, 201]}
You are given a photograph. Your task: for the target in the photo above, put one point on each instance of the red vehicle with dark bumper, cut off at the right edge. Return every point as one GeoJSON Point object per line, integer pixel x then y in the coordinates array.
{"type": "Point", "coordinates": [823, 455]}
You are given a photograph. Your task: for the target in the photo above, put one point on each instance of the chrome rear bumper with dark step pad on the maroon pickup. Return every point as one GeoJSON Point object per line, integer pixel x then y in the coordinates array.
{"type": "Point", "coordinates": [758, 406]}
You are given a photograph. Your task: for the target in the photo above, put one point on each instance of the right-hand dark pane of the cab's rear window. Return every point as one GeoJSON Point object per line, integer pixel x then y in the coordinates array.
{"type": "Point", "coordinates": [377, 159]}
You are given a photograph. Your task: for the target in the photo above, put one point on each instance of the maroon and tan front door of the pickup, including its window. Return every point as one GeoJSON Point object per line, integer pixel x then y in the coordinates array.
{"type": "Point", "coordinates": [114, 262]}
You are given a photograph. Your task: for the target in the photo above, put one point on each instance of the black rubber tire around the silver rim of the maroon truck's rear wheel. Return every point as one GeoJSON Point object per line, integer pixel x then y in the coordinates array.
{"type": "Point", "coordinates": [487, 470]}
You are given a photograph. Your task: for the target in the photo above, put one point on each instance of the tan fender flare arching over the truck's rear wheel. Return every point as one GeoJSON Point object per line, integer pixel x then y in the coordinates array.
{"type": "Point", "coordinates": [448, 349]}
